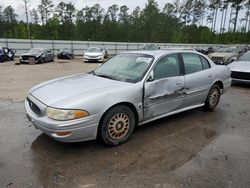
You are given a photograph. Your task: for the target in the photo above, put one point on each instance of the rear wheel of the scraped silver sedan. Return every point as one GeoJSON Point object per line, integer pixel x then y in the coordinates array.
{"type": "Point", "coordinates": [213, 97]}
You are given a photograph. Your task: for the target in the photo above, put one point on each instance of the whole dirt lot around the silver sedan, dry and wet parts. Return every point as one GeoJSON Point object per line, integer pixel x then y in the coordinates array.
{"type": "Point", "coordinates": [192, 149]}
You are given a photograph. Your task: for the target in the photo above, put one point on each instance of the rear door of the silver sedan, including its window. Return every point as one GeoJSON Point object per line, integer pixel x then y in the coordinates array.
{"type": "Point", "coordinates": [198, 78]}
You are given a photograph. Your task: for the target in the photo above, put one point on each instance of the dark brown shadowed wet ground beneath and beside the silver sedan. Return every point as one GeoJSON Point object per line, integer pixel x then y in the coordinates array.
{"type": "Point", "coordinates": [165, 144]}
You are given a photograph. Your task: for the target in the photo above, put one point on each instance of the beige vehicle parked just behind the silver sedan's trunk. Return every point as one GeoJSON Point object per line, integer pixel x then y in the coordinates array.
{"type": "Point", "coordinates": [226, 55]}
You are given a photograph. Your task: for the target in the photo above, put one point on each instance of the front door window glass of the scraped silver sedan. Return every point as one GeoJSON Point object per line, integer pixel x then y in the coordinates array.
{"type": "Point", "coordinates": [167, 67]}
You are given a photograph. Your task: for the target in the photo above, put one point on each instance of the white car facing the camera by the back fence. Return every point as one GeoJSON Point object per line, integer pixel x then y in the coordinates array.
{"type": "Point", "coordinates": [94, 54]}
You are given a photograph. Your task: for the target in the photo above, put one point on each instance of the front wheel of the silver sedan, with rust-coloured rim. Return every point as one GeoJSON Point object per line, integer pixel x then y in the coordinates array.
{"type": "Point", "coordinates": [117, 126]}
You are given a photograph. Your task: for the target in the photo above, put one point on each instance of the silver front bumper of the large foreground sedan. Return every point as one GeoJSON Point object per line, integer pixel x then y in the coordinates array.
{"type": "Point", "coordinates": [81, 129]}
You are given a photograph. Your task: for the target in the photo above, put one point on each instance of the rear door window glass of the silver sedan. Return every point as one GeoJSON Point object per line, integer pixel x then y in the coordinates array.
{"type": "Point", "coordinates": [192, 63]}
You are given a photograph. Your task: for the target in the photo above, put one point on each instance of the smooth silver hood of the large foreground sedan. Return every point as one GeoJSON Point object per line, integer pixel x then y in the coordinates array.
{"type": "Point", "coordinates": [61, 92]}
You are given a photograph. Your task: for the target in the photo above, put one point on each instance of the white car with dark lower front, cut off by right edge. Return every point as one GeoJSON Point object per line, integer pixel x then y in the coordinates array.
{"type": "Point", "coordinates": [240, 69]}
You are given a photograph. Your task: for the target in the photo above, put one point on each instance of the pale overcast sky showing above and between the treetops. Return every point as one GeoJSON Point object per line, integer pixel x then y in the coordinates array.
{"type": "Point", "coordinates": [18, 5]}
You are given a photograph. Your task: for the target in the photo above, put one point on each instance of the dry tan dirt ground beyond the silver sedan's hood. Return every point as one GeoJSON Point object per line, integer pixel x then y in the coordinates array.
{"type": "Point", "coordinates": [16, 80]}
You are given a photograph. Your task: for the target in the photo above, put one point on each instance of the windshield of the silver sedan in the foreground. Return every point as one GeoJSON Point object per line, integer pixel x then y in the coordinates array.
{"type": "Point", "coordinates": [125, 67]}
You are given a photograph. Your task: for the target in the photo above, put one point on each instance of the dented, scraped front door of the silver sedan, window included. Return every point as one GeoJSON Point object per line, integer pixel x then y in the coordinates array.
{"type": "Point", "coordinates": [164, 93]}
